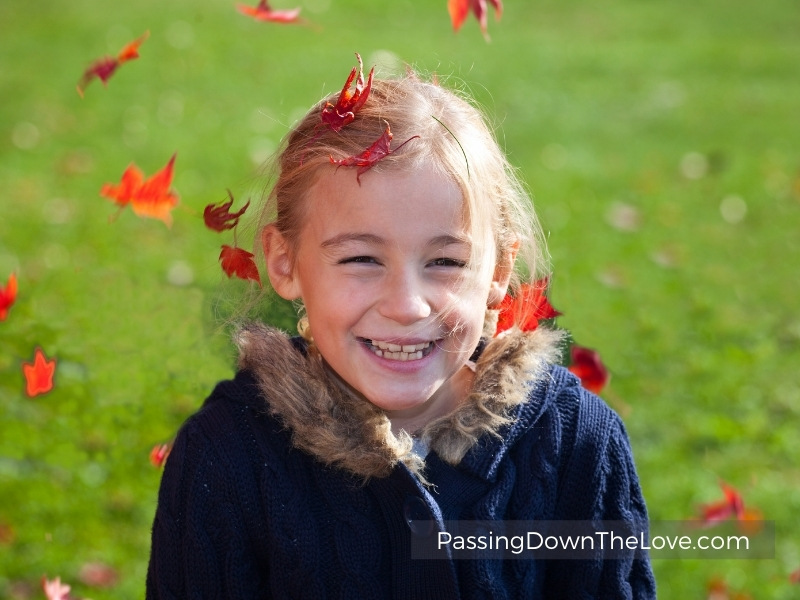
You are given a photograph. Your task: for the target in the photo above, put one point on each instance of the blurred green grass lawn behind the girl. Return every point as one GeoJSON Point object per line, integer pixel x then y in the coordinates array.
{"type": "Point", "coordinates": [661, 141]}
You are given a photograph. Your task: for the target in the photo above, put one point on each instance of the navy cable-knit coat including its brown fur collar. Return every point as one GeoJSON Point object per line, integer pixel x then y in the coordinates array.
{"type": "Point", "coordinates": [260, 501]}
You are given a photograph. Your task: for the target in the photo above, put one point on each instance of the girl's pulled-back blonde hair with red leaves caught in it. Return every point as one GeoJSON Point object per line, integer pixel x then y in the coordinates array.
{"type": "Point", "coordinates": [453, 138]}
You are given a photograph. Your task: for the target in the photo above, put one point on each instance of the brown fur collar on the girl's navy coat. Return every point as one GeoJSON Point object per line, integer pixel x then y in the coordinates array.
{"type": "Point", "coordinates": [342, 429]}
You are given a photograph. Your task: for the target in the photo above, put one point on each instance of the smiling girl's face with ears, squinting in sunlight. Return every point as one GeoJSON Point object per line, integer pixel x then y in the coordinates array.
{"type": "Point", "coordinates": [382, 270]}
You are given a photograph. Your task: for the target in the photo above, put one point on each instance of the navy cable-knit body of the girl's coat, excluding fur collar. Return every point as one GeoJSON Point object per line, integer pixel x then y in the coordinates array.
{"type": "Point", "coordinates": [243, 515]}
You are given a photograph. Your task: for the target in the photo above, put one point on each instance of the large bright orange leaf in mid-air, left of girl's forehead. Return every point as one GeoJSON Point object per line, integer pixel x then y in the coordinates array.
{"type": "Point", "coordinates": [148, 198]}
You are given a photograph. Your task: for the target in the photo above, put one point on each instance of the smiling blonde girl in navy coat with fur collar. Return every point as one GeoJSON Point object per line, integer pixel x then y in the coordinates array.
{"type": "Point", "coordinates": [319, 470]}
